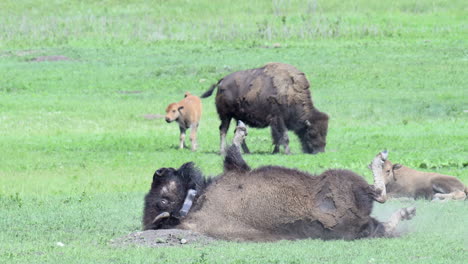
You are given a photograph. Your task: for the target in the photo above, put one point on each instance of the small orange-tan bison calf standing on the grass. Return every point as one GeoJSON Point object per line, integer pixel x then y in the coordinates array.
{"type": "Point", "coordinates": [187, 113]}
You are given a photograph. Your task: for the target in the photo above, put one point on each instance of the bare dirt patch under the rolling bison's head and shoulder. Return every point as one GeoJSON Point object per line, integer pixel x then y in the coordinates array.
{"type": "Point", "coordinates": [162, 238]}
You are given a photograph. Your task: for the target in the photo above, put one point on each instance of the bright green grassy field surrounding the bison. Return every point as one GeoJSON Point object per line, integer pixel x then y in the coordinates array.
{"type": "Point", "coordinates": [77, 154]}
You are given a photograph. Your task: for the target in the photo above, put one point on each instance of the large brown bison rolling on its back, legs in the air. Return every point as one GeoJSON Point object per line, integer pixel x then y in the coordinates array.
{"type": "Point", "coordinates": [268, 203]}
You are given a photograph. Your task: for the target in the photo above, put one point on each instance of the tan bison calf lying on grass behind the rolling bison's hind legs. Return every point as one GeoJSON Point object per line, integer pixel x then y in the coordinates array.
{"type": "Point", "coordinates": [401, 181]}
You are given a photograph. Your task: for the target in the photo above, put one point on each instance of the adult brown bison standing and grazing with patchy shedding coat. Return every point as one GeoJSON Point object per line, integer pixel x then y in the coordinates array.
{"type": "Point", "coordinates": [275, 95]}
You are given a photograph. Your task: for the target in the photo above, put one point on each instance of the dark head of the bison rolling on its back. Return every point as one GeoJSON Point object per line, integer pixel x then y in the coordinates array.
{"type": "Point", "coordinates": [171, 196]}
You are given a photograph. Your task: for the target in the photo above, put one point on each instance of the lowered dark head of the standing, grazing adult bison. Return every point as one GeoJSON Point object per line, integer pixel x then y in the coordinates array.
{"type": "Point", "coordinates": [313, 138]}
